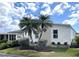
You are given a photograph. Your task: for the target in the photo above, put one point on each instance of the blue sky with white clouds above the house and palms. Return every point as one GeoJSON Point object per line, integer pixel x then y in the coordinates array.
{"type": "Point", "coordinates": [59, 12]}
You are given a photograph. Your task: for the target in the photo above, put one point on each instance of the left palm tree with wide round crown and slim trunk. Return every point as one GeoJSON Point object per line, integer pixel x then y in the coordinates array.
{"type": "Point", "coordinates": [29, 26]}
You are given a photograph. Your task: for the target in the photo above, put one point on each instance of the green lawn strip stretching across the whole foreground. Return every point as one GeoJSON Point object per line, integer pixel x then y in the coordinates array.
{"type": "Point", "coordinates": [56, 52]}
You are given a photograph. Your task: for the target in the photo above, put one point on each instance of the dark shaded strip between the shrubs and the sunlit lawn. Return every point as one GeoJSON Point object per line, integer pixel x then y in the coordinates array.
{"type": "Point", "coordinates": [46, 49]}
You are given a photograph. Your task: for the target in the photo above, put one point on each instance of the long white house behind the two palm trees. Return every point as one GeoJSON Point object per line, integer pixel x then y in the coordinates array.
{"type": "Point", "coordinates": [57, 34]}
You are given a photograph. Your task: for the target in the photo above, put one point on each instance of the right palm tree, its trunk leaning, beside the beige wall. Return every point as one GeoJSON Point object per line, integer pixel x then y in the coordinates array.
{"type": "Point", "coordinates": [44, 24]}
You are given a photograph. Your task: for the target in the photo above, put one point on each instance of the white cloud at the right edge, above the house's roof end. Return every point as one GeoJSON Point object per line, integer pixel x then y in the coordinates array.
{"type": "Point", "coordinates": [74, 18]}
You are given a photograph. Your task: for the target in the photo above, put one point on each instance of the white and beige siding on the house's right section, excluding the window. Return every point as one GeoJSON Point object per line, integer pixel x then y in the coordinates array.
{"type": "Point", "coordinates": [65, 34]}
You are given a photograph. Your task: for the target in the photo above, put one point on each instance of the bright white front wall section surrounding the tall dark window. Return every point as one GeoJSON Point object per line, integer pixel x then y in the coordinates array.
{"type": "Point", "coordinates": [63, 34]}
